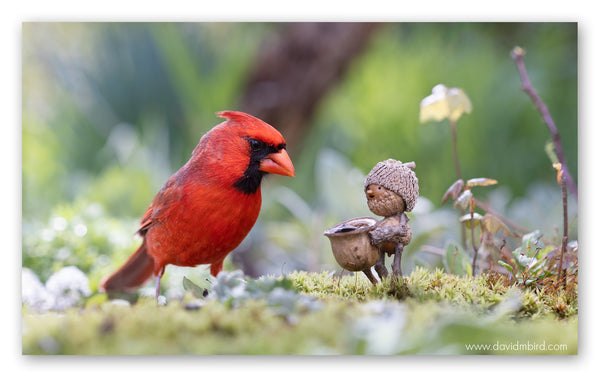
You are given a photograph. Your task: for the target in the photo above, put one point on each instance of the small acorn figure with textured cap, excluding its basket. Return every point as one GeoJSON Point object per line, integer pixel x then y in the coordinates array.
{"type": "Point", "coordinates": [392, 189]}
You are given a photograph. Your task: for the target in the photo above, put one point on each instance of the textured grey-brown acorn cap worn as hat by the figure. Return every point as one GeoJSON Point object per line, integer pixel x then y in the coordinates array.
{"type": "Point", "coordinates": [397, 177]}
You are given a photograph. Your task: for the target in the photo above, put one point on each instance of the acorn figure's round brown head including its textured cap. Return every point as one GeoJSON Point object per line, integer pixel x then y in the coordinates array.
{"type": "Point", "coordinates": [391, 187]}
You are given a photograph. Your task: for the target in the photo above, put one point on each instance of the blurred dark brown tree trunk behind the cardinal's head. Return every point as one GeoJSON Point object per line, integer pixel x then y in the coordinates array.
{"type": "Point", "coordinates": [296, 68]}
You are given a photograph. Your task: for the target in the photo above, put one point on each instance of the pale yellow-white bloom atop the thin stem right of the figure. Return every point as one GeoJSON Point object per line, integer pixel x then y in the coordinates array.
{"type": "Point", "coordinates": [444, 103]}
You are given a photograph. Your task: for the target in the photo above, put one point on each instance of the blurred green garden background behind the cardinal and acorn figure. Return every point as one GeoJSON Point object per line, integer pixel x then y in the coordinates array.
{"type": "Point", "coordinates": [111, 110]}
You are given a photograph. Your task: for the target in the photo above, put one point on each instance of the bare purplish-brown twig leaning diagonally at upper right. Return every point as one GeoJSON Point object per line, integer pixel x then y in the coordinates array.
{"type": "Point", "coordinates": [517, 55]}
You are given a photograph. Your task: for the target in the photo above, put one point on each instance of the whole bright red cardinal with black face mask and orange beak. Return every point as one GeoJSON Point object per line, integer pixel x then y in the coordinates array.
{"type": "Point", "coordinates": [207, 208]}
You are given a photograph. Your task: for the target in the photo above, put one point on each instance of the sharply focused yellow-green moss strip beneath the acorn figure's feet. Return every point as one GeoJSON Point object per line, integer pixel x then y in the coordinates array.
{"type": "Point", "coordinates": [480, 292]}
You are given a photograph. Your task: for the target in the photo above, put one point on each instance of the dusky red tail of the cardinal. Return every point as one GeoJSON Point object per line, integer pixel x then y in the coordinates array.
{"type": "Point", "coordinates": [136, 270]}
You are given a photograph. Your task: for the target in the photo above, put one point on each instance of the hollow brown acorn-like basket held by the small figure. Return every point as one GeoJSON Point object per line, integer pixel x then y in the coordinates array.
{"type": "Point", "coordinates": [351, 244]}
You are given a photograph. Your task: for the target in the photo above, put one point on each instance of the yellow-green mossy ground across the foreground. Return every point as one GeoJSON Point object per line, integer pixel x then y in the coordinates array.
{"type": "Point", "coordinates": [429, 313]}
